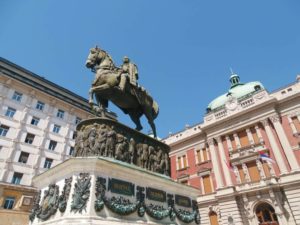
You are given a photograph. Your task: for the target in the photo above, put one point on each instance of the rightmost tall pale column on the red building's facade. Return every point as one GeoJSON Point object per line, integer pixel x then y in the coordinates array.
{"type": "Point", "coordinates": [285, 143]}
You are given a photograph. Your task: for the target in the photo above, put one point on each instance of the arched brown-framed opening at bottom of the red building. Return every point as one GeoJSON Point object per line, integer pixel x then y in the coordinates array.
{"type": "Point", "coordinates": [266, 214]}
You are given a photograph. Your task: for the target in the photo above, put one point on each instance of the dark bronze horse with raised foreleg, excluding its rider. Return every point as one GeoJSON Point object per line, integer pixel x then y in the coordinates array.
{"type": "Point", "coordinates": [134, 101]}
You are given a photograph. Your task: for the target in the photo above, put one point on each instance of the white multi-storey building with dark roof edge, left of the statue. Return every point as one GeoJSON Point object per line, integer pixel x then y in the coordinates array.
{"type": "Point", "coordinates": [37, 130]}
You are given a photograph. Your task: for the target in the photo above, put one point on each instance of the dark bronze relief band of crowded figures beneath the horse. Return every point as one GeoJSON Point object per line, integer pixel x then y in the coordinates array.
{"type": "Point", "coordinates": [107, 138]}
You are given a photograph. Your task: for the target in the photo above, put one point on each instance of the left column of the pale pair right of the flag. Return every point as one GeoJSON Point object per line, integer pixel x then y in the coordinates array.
{"type": "Point", "coordinates": [277, 154]}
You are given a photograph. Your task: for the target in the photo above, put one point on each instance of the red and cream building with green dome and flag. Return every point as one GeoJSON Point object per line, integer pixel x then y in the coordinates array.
{"type": "Point", "coordinates": [244, 157]}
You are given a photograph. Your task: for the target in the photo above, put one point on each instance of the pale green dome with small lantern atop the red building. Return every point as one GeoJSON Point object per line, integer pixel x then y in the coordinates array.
{"type": "Point", "coordinates": [237, 91]}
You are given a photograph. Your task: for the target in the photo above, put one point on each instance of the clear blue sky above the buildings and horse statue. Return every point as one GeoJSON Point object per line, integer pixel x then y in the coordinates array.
{"type": "Point", "coordinates": [183, 49]}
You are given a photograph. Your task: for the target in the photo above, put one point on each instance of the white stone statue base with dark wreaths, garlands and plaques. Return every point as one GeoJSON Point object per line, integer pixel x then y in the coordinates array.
{"type": "Point", "coordinates": [102, 190]}
